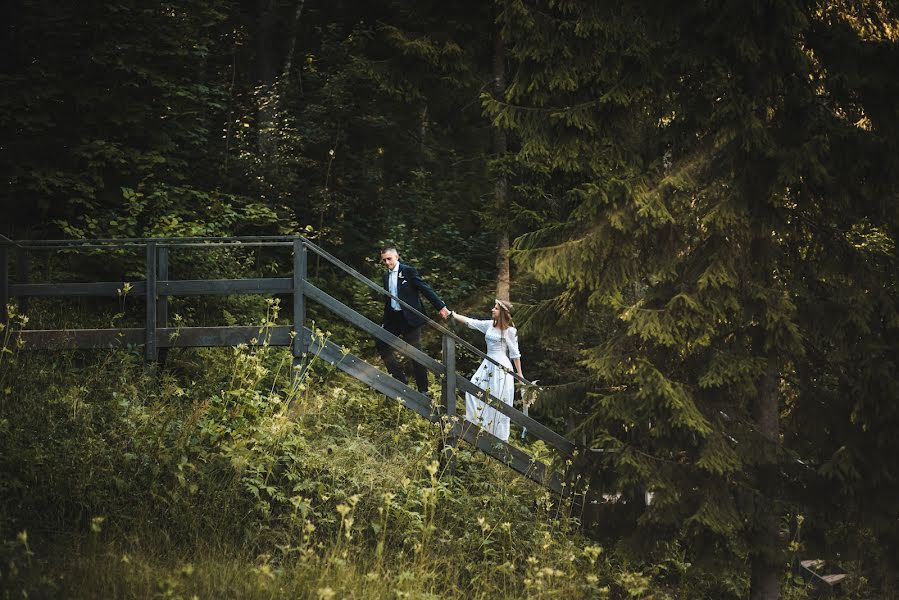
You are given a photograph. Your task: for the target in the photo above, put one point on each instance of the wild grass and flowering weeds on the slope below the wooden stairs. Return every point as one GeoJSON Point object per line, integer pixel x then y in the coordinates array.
{"type": "Point", "coordinates": [219, 477]}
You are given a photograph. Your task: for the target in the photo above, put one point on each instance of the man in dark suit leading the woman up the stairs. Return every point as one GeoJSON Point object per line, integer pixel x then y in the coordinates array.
{"type": "Point", "coordinates": [404, 282]}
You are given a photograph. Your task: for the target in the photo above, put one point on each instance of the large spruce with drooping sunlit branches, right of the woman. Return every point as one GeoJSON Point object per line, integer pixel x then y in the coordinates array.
{"type": "Point", "coordinates": [706, 148]}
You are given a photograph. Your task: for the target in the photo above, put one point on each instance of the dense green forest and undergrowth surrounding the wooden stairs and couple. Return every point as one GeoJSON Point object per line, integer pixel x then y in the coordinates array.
{"type": "Point", "coordinates": [692, 206]}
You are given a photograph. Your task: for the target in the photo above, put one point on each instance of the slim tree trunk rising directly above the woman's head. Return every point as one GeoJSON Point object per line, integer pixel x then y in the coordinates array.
{"type": "Point", "coordinates": [501, 186]}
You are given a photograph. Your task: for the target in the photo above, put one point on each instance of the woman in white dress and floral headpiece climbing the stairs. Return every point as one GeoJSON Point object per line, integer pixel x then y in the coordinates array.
{"type": "Point", "coordinates": [502, 346]}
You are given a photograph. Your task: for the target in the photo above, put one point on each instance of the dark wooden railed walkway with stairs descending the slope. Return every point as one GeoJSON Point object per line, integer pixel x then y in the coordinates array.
{"type": "Point", "coordinates": [571, 462]}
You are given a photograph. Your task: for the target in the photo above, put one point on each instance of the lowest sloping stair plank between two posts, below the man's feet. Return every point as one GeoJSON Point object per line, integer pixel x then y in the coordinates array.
{"type": "Point", "coordinates": [372, 376]}
